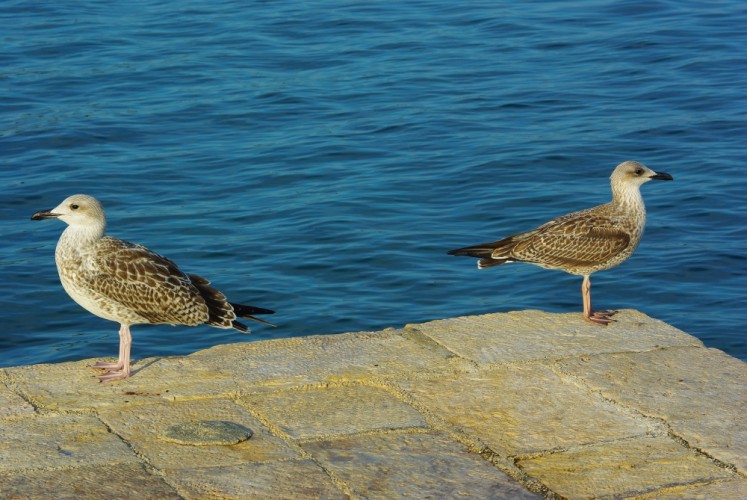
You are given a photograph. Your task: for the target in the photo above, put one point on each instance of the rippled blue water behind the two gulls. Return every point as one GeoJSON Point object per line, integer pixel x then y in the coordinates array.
{"type": "Point", "coordinates": [319, 157]}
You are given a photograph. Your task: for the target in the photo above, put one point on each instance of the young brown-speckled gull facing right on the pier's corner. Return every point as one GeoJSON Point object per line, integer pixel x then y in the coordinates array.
{"type": "Point", "coordinates": [582, 242]}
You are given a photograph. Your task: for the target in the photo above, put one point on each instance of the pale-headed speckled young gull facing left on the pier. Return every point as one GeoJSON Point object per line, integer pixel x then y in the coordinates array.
{"type": "Point", "coordinates": [129, 284]}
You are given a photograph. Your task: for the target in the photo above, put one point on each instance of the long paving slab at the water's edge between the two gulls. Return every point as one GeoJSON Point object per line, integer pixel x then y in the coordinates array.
{"type": "Point", "coordinates": [311, 360]}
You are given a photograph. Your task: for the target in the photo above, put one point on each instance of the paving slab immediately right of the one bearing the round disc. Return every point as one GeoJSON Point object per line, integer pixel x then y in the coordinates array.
{"type": "Point", "coordinates": [320, 412]}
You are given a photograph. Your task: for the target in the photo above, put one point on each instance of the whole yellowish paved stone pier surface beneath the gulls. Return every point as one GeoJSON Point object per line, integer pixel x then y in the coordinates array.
{"type": "Point", "coordinates": [518, 405]}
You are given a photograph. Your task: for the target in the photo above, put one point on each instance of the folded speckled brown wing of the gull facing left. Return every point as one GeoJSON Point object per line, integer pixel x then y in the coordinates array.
{"type": "Point", "coordinates": [146, 283]}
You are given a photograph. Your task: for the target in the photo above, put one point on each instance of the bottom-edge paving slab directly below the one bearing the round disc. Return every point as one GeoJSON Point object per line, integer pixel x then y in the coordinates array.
{"type": "Point", "coordinates": [290, 479]}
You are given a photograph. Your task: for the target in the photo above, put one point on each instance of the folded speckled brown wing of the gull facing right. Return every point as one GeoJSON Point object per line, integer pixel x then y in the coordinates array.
{"type": "Point", "coordinates": [574, 244]}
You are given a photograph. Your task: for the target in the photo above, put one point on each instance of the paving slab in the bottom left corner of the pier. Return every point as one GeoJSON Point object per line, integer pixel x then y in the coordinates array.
{"type": "Point", "coordinates": [121, 480]}
